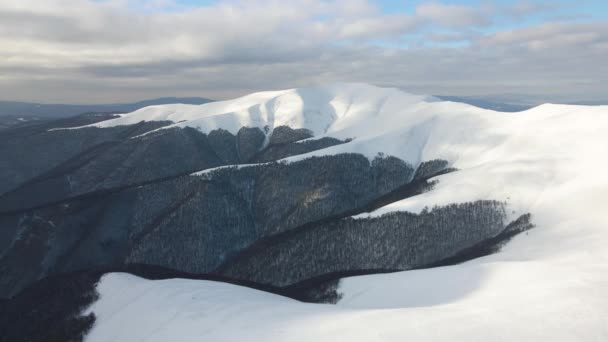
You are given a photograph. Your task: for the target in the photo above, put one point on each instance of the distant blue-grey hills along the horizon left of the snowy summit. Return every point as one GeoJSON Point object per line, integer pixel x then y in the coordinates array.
{"type": "Point", "coordinates": [50, 111]}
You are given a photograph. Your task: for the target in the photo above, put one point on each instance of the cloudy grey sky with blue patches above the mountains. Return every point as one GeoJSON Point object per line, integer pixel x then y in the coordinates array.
{"type": "Point", "coordinates": [81, 51]}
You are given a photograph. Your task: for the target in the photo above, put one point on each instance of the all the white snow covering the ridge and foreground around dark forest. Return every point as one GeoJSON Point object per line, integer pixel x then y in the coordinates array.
{"type": "Point", "coordinates": [550, 284]}
